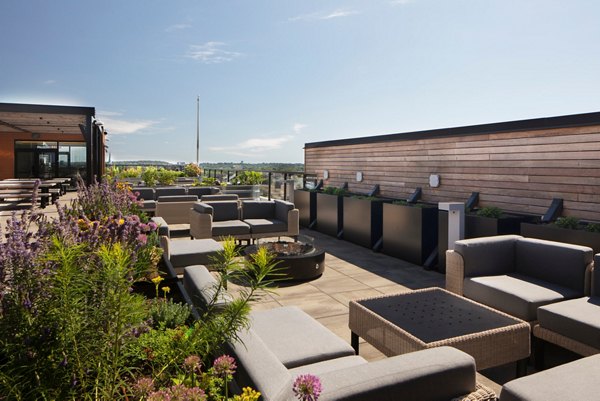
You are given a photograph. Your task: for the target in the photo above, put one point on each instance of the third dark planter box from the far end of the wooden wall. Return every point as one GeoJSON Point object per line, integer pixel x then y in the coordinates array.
{"type": "Point", "coordinates": [363, 221]}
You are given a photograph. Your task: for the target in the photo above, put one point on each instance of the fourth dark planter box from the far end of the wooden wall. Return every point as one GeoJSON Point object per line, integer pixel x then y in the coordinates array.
{"type": "Point", "coordinates": [409, 233]}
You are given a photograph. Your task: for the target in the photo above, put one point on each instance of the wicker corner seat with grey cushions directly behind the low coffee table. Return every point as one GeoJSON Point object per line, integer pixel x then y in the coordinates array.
{"type": "Point", "coordinates": [517, 275]}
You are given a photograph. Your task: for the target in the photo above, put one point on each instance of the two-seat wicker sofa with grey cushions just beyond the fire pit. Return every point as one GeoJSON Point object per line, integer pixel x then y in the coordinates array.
{"type": "Point", "coordinates": [246, 220]}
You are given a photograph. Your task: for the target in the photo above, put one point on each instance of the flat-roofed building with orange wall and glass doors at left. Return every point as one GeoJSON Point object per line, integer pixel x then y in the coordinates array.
{"type": "Point", "coordinates": [46, 141]}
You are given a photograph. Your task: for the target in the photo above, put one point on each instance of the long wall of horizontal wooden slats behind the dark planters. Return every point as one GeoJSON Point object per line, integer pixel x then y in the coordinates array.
{"type": "Point", "coordinates": [516, 171]}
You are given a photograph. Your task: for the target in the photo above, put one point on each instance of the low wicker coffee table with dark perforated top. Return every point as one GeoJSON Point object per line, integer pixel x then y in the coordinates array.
{"type": "Point", "coordinates": [433, 317]}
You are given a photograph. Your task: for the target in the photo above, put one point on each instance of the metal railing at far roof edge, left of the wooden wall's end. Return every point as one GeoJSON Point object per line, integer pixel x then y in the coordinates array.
{"type": "Point", "coordinates": [274, 186]}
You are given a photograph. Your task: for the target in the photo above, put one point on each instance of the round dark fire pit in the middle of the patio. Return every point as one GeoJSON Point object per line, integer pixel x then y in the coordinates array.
{"type": "Point", "coordinates": [297, 260]}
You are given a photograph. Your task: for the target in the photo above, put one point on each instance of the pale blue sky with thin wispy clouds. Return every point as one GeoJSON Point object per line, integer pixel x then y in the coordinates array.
{"type": "Point", "coordinates": [273, 75]}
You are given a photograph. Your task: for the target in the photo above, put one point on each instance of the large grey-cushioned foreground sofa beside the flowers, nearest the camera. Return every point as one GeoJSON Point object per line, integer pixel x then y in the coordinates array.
{"type": "Point", "coordinates": [285, 342]}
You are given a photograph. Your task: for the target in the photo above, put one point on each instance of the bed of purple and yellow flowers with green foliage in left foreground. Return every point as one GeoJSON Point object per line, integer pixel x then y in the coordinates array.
{"type": "Point", "coordinates": [72, 328]}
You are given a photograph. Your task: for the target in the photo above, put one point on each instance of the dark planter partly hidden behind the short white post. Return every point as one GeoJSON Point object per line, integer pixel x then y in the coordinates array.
{"type": "Point", "coordinates": [475, 227]}
